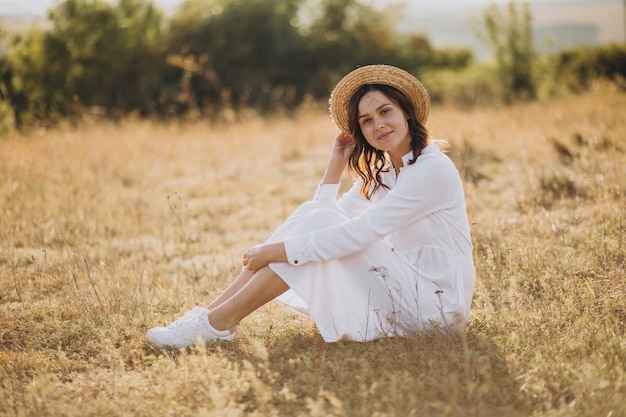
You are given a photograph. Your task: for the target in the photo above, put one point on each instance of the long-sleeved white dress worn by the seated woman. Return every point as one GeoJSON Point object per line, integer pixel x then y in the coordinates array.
{"type": "Point", "coordinates": [392, 266]}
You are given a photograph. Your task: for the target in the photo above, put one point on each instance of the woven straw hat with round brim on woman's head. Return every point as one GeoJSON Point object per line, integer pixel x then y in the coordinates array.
{"type": "Point", "coordinates": [376, 74]}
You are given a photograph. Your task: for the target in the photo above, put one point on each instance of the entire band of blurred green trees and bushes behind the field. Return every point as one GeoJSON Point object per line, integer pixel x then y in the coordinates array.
{"type": "Point", "coordinates": [218, 58]}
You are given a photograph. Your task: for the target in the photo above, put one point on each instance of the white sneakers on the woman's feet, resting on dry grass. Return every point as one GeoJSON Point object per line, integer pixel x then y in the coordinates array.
{"type": "Point", "coordinates": [184, 331]}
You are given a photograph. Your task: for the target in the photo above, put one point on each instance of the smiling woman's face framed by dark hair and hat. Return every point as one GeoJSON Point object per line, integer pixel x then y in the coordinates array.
{"type": "Point", "coordinates": [383, 124]}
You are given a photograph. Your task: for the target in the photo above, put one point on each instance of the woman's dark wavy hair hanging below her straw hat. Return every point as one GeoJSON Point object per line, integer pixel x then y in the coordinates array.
{"type": "Point", "coordinates": [367, 161]}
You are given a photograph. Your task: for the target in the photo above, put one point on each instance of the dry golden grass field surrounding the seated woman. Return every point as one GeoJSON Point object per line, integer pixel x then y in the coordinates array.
{"type": "Point", "coordinates": [109, 229]}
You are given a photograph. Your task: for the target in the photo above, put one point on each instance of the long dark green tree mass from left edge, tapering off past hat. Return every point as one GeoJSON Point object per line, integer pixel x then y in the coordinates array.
{"type": "Point", "coordinates": [211, 56]}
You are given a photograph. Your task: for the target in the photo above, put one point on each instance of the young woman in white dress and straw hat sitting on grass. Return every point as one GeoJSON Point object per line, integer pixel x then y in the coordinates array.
{"type": "Point", "coordinates": [391, 257]}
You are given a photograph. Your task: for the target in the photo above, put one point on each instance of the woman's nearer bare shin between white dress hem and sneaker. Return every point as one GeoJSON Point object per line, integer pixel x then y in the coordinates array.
{"type": "Point", "coordinates": [259, 289]}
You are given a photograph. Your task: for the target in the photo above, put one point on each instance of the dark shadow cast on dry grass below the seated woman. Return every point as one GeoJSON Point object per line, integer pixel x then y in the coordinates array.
{"type": "Point", "coordinates": [460, 375]}
